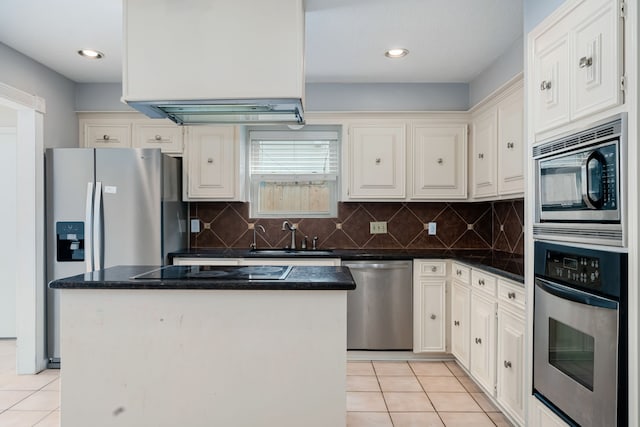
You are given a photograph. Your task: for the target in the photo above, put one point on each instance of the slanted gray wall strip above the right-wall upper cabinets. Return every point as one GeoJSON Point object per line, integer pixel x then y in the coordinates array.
{"type": "Point", "coordinates": [499, 72]}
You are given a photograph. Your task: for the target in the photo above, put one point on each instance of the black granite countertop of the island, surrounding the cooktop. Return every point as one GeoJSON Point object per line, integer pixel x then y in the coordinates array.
{"type": "Point", "coordinates": [120, 277]}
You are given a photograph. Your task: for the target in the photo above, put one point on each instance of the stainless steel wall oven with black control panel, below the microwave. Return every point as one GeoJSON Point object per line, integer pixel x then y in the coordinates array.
{"type": "Point", "coordinates": [580, 337]}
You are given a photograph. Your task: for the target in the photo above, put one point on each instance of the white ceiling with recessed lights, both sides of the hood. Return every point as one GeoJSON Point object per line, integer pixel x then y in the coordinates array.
{"type": "Point", "coordinates": [448, 40]}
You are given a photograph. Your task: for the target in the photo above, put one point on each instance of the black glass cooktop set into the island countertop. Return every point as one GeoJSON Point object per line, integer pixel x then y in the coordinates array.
{"type": "Point", "coordinates": [215, 272]}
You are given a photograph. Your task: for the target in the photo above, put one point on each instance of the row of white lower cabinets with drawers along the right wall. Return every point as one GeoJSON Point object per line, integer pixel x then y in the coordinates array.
{"type": "Point", "coordinates": [488, 335]}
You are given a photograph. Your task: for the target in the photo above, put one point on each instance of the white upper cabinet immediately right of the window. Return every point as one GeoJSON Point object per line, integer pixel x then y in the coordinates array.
{"type": "Point", "coordinates": [377, 160]}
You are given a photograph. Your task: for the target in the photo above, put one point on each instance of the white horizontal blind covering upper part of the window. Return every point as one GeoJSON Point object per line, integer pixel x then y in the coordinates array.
{"type": "Point", "coordinates": [275, 156]}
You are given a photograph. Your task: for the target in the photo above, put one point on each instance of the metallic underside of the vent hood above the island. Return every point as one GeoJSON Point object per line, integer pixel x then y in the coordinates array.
{"type": "Point", "coordinates": [245, 111]}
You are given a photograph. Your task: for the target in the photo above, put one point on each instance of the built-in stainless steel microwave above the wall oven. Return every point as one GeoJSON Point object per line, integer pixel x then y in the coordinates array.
{"type": "Point", "coordinates": [580, 185]}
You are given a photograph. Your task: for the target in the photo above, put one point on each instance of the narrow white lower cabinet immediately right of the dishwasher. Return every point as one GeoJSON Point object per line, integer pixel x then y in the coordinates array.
{"type": "Point", "coordinates": [429, 296]}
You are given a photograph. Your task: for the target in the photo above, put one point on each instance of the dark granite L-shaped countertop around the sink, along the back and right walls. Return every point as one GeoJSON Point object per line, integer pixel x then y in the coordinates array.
{"type": "Point", "coordinates": [510, 266]}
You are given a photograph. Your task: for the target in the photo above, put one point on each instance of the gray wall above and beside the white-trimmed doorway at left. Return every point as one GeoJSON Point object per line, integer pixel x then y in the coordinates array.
{"type": "Point", "coordinates": [22, 72]}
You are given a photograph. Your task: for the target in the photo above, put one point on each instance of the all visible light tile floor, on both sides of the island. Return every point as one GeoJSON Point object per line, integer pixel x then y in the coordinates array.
{"type": "Point", "coordinates": [379, 394]}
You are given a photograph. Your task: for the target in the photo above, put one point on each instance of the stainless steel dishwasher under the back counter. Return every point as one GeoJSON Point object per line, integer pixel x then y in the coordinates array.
{"type": "Point", "coordinates": [380, 309]}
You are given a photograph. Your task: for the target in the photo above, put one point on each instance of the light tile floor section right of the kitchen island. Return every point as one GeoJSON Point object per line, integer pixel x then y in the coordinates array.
{"type": "Point", "coordinates": [416, 394]}
